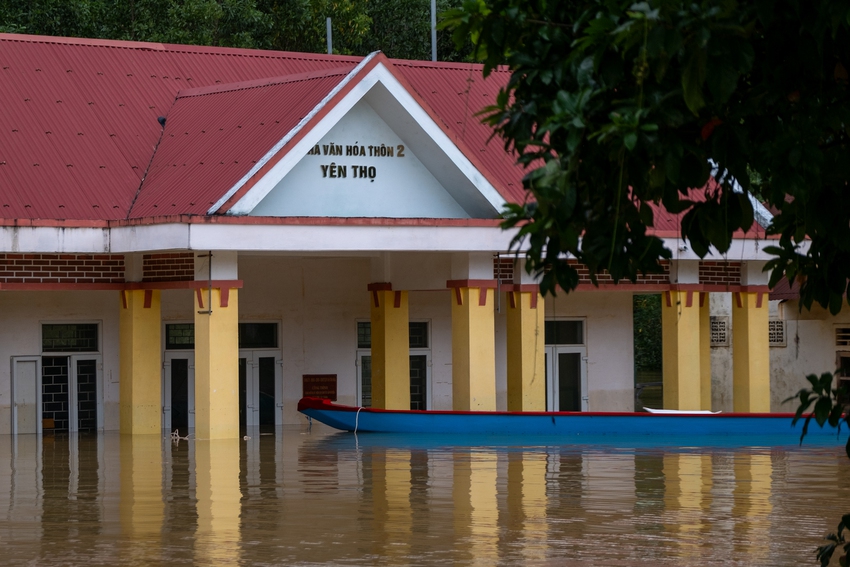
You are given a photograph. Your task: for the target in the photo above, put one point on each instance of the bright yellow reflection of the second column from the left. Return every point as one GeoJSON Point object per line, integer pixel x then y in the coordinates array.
{"type": "Point", "coordinates": [218, 502]}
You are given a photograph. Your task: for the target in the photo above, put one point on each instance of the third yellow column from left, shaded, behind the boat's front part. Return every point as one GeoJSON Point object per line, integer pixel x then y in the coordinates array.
{"type": "Point", "coordinates": [390, 348]}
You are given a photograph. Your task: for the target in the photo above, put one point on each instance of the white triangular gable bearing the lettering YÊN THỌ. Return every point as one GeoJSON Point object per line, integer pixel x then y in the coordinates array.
{"type": "Point", "coordinates": [301, 175]}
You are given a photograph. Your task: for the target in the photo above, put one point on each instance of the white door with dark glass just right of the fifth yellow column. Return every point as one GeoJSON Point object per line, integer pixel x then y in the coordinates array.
{"type": "Point", "coordinates": [566, 378]}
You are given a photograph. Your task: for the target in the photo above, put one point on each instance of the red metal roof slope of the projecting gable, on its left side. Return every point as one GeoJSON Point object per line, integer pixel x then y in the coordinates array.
{"type": "Point", "coordinates": [213, 137]}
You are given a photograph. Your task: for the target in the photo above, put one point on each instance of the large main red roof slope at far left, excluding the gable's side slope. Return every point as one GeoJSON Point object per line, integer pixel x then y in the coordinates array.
{"type": "Point", "coordinates": [79, 123]}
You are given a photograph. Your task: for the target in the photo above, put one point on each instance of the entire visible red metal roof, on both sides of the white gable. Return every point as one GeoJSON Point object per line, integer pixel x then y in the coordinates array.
{"type": "Point", "coordinates": [80, 140]}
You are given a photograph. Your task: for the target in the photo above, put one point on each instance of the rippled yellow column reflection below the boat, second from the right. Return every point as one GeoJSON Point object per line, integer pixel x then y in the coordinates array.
{"type": "Point", "coordinates": [687, 498]}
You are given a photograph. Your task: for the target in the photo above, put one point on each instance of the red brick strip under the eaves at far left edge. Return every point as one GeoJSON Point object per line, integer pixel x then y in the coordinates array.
{"type": "Point", "coordinates": [61, 268]}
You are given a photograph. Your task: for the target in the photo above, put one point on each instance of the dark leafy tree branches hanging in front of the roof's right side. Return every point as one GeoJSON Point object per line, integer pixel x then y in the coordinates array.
{"type": "Point", "coordinates": [613, 105]}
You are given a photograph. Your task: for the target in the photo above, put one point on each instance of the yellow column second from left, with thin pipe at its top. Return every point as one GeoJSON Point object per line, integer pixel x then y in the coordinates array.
{"type": "Point", "coordinates": [217, 364]}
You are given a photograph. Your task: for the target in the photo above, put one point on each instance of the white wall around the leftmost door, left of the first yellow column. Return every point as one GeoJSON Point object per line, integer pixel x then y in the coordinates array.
{"type": "Point", "coordinates": [23, 312]}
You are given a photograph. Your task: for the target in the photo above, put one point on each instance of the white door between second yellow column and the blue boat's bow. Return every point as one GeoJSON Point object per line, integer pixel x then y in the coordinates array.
{"type": "Point", "coordinates": [260, 388]}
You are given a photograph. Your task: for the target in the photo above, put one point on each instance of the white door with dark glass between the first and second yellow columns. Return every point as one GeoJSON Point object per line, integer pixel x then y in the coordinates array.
{"type": "Point", "coordinates": [178, 391]}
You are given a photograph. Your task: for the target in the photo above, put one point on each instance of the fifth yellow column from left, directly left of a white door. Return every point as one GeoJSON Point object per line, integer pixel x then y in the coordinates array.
{"type": "Point", "coordinates": [526, 353]}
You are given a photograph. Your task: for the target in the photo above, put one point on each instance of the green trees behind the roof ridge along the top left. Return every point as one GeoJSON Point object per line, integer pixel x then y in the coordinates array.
{"type": "Point", "coordinates": [399, 28]}
